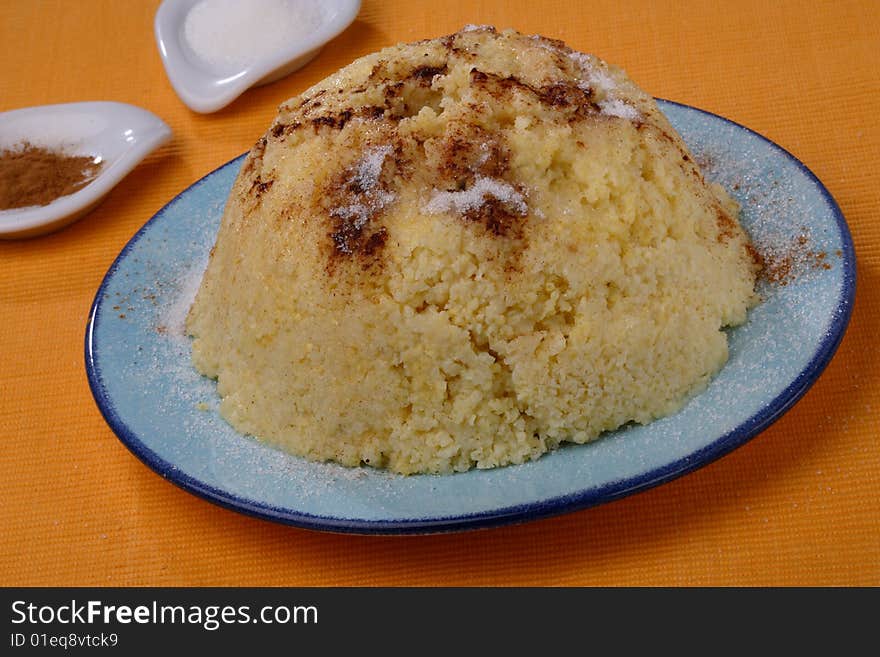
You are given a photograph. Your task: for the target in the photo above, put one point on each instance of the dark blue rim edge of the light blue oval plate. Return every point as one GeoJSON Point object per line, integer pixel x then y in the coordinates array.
{"type": "Point", "coordinates": [513, 514]}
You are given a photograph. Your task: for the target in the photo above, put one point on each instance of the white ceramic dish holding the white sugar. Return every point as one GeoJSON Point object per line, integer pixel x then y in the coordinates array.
{"type": "Point", "coordinates": [205, 88]}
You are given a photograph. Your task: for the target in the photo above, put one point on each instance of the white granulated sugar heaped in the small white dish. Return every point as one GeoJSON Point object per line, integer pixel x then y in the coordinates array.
{"type": "Point", "coordinates": [231, 35]}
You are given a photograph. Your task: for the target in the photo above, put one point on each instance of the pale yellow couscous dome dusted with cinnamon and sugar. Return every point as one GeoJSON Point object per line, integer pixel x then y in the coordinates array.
{"type": "Point", "coordinates": [463, 252]}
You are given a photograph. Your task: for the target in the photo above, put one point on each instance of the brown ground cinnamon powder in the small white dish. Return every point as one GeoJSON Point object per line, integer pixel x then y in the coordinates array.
{"type": "Point", "coordinates": [34, 175]}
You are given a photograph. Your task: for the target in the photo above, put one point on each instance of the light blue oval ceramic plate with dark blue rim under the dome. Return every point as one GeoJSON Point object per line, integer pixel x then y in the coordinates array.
{"type": "Point", "coordinates": [137, 359]}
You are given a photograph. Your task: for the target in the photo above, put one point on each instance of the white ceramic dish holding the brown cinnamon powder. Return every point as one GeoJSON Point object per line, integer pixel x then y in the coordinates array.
{"type": "Point", "coordinates": [121, 135]}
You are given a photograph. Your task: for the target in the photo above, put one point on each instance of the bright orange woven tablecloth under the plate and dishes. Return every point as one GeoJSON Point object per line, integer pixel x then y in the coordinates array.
{"type": "Point", "coordinates": [798, 505]}
